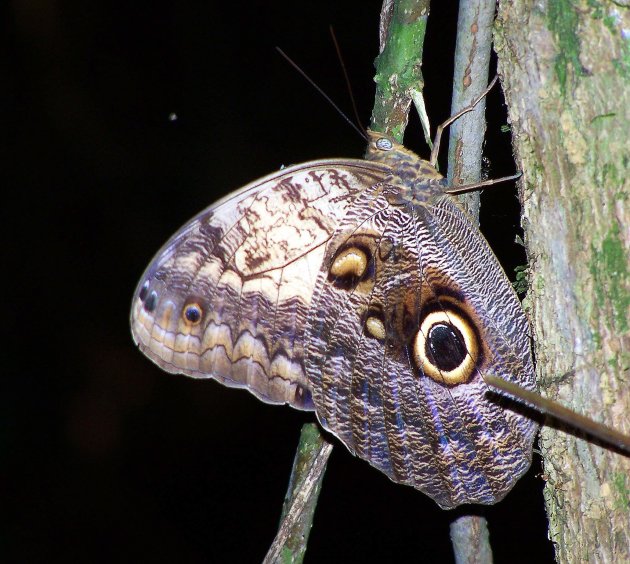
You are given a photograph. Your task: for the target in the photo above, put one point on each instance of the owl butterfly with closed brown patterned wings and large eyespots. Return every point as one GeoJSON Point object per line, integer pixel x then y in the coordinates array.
{"type": "Point", "coordinates": [361, 290]}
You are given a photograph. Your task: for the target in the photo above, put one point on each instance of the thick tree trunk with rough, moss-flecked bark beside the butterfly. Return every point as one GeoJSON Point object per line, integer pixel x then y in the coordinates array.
{"type": "Point", "coordinates": [566, 73]}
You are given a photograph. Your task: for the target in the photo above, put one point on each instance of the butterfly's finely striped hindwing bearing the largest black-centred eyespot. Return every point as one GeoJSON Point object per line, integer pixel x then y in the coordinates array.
{"type": "Point", "coordinates": [397, 343]}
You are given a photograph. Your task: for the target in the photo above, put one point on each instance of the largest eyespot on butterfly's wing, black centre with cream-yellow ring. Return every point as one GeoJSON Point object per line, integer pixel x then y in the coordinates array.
{"type": "Point", "coordinates": [446, 347]}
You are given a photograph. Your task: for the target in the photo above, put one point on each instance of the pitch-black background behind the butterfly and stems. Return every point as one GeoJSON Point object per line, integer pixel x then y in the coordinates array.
{"type": "Point", "coordinates": [105, 457]}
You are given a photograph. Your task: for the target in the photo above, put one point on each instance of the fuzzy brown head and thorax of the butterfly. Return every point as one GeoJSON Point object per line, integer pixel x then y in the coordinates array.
{"type": "Point", "coordinates": [415, 180]}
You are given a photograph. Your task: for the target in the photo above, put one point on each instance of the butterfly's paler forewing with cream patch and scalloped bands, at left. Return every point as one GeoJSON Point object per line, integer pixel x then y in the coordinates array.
{"type": "Point", "coordinates": [227, 296]}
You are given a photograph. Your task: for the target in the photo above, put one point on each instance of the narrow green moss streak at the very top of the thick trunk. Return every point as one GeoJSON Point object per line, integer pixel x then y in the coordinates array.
{"type": "Point", "coordinates": [563, 23]}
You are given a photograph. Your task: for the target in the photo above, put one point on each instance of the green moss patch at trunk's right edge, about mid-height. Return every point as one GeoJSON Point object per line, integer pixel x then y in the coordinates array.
{"type": "Point", "coordinates": [609, 269]}
